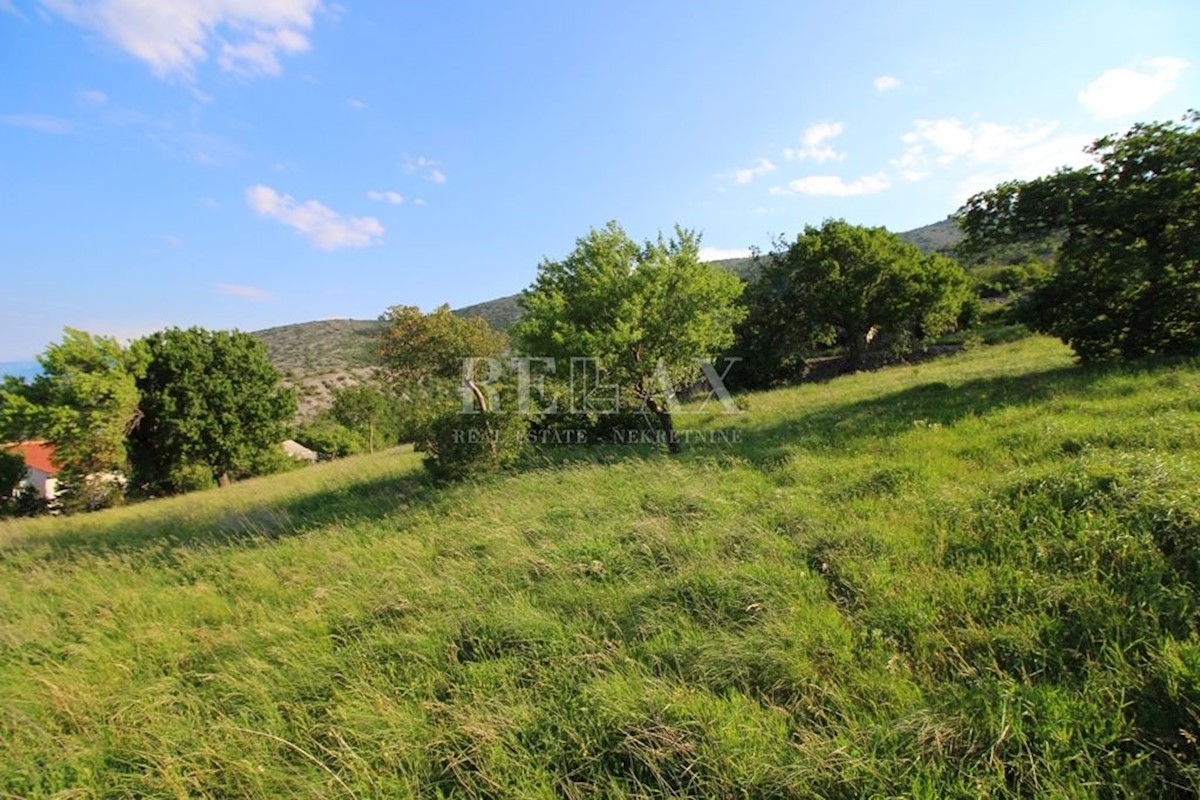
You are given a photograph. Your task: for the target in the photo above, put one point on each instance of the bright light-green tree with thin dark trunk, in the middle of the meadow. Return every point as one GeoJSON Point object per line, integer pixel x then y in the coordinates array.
{"type": "Point", "coordinates": [645, 314]}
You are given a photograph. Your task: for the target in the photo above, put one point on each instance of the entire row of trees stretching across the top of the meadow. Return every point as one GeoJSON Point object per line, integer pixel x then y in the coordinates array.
{"type": "Point", "coordinates": [617, 332]}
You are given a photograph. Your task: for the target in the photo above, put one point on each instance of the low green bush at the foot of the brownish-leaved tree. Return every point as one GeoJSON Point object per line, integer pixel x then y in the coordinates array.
{"type": "Point", "coordinates": [460, 446]}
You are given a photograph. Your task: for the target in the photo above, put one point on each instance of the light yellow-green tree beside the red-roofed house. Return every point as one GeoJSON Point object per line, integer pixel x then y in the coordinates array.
{"type": "Point", "coordinates": [85, 402]}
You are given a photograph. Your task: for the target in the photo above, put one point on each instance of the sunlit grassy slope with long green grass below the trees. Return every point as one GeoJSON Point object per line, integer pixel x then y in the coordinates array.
{"type": "Point", "coordinates": [975, 578]}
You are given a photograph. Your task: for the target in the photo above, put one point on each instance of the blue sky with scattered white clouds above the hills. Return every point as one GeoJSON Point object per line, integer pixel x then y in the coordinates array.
{"type": "Point", "coordinates": [247, 164]}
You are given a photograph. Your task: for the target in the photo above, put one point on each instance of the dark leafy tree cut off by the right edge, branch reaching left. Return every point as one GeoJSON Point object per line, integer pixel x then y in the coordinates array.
{"type": "Point", "coordinates": [1129, 272]}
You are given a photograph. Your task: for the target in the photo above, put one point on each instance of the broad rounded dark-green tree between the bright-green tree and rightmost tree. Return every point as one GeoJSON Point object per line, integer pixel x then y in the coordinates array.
{"type": "Point", "coordinates": [853, 285]}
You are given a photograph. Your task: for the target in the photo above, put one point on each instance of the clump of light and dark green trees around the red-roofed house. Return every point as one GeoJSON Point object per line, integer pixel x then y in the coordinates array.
{"type": "Point", "coordinates": [173, 412]}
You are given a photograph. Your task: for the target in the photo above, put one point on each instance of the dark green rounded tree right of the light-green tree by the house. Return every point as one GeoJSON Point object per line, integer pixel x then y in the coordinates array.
{"type": "Point", "coordinates": [209, 399]}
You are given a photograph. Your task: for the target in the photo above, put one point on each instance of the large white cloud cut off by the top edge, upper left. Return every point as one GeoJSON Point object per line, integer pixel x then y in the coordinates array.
{"type": "Point", "coordinates": [172, 38]}
